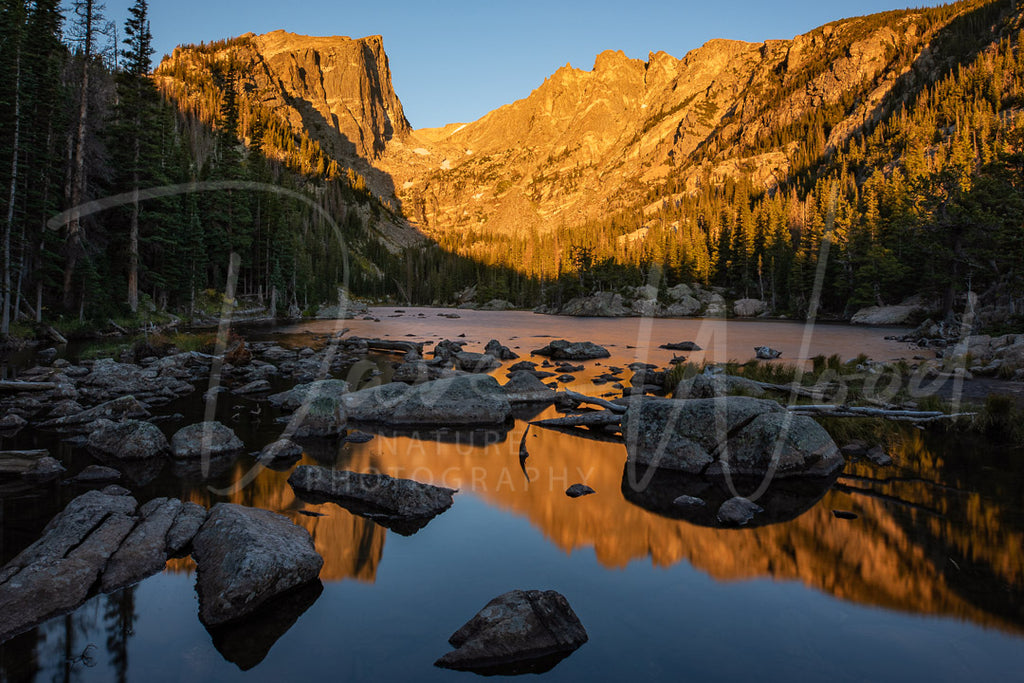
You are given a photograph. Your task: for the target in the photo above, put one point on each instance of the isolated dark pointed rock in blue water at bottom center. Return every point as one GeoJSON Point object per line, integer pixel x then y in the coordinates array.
{"type": "Point", "coordinates": [519, 632]}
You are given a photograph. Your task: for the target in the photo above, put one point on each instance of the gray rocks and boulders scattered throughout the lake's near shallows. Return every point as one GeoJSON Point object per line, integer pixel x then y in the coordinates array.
{"type": "Point", "coordinates": [687, 436]}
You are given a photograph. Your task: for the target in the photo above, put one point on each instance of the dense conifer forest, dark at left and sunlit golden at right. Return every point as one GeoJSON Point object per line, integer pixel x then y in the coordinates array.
{"type": "Point", "coordinates": [929, 200]}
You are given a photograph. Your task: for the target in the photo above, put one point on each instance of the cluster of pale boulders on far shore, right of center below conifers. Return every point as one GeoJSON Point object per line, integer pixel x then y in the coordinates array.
{"type": "Point", "coordinates": [649, 302]}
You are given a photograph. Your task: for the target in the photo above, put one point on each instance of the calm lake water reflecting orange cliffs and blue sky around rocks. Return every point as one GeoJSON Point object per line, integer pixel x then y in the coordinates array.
{"type": "Point", "coordinates": [927, 584]}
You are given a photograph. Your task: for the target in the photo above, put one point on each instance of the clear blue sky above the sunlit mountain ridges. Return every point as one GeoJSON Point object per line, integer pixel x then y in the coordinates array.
{"type": "Point", "coordinates": [454, 61]}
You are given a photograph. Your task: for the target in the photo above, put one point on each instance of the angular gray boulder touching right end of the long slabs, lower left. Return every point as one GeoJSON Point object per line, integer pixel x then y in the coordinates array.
{"type": "Point", "coordinates": [245, 557]}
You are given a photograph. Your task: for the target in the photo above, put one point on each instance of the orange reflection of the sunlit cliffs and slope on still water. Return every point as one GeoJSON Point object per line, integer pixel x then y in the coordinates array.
{"type": "Point", "coordinates": [916, 546]}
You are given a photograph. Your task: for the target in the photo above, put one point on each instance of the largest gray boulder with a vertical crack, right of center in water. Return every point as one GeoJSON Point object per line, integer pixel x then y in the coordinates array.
{"type": "Point", "coordinates": [746, 436]}
